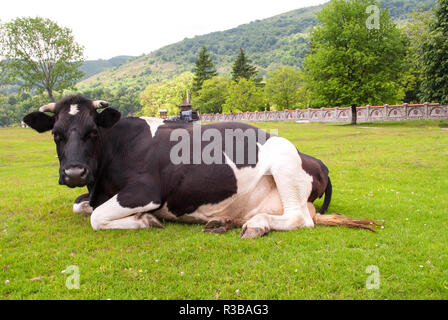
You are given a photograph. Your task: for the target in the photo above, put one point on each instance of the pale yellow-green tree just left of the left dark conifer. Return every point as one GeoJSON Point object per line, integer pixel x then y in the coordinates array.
{"type": "Point", "coordinates": [167, 95]}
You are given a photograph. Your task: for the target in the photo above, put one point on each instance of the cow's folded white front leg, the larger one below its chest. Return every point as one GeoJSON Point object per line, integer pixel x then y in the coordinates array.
{"type": "Point", "coordinates": [114, 214]}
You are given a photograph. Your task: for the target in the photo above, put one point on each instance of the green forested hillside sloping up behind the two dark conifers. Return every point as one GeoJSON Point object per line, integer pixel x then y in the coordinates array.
{"type": "Point", "coordinates": [282, 39]}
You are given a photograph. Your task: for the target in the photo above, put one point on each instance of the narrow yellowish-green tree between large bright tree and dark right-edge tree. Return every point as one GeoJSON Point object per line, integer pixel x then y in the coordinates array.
{"type": "Point", "coordinates": [416, 29]}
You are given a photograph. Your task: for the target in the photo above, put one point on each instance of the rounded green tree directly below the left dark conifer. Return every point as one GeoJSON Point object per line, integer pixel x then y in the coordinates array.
{"type": "Point", "coordinates": [213, 95]}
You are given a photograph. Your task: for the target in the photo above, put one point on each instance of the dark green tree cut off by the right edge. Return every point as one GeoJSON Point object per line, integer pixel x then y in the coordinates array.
{"type": "Point", "coordinates": [435, 57]}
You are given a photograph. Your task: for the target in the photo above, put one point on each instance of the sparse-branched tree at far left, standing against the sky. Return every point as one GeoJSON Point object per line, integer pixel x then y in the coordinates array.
{"type": "Point", "coordinates": [40, 55]}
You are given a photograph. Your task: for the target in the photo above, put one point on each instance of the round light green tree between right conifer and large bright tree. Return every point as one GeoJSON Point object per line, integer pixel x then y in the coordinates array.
{"type": "Point", "coordinates": [283, 87]}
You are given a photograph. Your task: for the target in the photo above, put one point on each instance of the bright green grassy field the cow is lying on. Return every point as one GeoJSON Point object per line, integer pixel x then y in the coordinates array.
{"type": "Point", "coordinates": [397, 172]}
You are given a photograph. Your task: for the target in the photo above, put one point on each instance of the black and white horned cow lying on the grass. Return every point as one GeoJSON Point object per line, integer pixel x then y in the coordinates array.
{"type": "Point", "coordinates": [139, 171]}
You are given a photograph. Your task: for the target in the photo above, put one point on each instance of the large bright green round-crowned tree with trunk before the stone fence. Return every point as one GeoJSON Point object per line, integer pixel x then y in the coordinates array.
{"type": "Point", "coordinates": [353, 61]}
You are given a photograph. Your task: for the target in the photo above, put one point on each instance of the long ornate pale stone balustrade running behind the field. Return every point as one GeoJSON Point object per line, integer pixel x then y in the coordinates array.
{"type": "Point", "coordinates": [405, 111]}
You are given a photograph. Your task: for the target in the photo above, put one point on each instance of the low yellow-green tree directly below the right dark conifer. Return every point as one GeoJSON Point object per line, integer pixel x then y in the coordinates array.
{"type": "Point", "coordinates": [244, 95]}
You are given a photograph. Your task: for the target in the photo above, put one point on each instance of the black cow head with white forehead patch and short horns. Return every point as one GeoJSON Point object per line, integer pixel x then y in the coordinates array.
{"type": "Point", "coordinates": [76, 126]}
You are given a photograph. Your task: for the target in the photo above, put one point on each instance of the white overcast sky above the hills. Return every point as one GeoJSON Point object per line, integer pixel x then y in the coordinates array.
{"type": "Point", "coordinates": [107, 28]}
